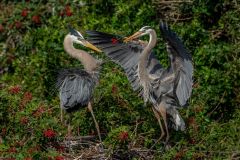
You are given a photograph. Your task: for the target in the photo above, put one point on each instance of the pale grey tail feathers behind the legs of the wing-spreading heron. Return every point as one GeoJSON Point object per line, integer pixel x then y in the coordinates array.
{"type": "Point", "coordinates": [175, 120]}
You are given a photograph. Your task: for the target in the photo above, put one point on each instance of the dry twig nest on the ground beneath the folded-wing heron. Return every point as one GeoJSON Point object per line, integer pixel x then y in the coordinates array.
{"type": "Point", "coordinates": [87, 147]}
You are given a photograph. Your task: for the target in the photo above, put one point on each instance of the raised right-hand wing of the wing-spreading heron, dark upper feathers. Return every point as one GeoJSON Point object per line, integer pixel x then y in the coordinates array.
{"type": "Point", "coordinates": [182, 65]}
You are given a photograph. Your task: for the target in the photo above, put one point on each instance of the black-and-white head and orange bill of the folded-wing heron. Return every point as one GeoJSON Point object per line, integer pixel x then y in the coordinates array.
{"type": "Point", "coordinates": [78, 38]}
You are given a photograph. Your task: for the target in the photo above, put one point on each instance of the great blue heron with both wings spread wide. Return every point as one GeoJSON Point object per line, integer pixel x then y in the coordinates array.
{"type": "Point", "coordinates": [168, 89]}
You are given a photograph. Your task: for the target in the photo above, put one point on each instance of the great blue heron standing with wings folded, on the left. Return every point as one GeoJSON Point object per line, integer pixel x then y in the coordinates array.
{"type": "Point", "coordinates": [76, 85]}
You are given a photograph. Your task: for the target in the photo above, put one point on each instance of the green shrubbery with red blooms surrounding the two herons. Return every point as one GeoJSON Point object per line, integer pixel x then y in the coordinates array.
{"type": "Point", "coordinates": [31, 51]}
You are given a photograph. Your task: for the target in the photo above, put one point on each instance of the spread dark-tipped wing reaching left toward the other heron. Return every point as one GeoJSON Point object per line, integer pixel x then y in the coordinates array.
{"type": "Point", "coordinates": [125, 54]}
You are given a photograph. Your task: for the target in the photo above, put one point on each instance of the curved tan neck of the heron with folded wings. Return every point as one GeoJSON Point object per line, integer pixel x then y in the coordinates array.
{"type": "Point", "coordinates": [89, 62]}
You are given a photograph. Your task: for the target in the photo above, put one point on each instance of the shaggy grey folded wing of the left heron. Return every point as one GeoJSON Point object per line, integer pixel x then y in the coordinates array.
{"type": "Point", "coordinates": [75, 87]}
